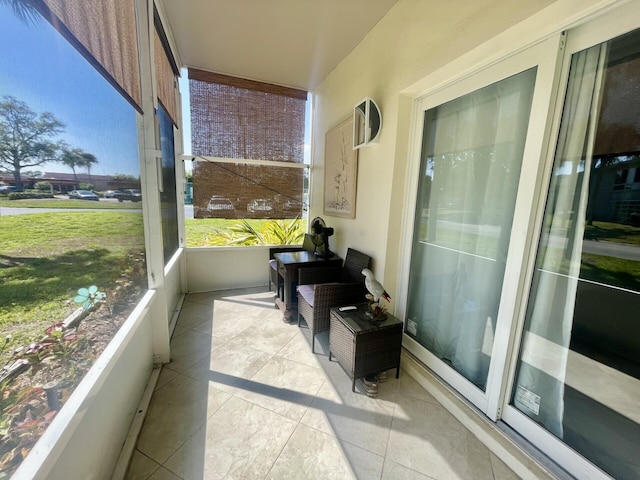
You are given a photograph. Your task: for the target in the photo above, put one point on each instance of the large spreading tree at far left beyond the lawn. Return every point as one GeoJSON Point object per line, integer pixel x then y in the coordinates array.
{"type": "Point", "coordinates": [25, 137]}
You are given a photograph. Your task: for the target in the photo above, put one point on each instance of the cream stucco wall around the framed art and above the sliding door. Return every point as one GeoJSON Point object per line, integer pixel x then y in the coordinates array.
{"type": "Point", "coordinates": [415, 46]}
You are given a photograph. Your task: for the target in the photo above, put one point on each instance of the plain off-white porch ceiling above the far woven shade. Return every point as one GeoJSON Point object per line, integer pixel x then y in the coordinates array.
{"type": "Point", "coordinates": [294, 43]}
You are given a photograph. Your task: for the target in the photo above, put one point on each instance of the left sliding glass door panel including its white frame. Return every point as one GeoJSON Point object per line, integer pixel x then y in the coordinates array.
{"type": "Point", "coordinates": [476, 145]}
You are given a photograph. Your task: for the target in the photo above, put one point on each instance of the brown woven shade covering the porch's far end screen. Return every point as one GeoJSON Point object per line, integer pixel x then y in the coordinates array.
{"type": "Point", "coordinates": [243, 119]}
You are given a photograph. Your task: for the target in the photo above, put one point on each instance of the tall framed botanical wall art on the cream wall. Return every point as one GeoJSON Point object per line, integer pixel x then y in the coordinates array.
{"type": "Point", "coordinates": [340, 171]}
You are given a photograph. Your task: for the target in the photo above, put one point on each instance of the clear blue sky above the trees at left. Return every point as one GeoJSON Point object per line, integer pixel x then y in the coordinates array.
{"type": "Point", "coordinates": [42, 69]}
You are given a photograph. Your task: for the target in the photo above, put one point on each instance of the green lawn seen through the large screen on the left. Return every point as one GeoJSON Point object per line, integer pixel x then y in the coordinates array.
{"type": "Point", "coordinates": [46, 257]}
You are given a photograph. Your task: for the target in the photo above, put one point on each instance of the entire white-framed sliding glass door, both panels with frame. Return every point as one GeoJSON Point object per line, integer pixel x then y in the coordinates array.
{"type": "Point", "coordinates": [522, 285]}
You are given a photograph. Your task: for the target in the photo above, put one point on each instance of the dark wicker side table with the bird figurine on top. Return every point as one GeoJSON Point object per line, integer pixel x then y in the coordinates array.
{"type": "Point", "coordinates": [363, 347]}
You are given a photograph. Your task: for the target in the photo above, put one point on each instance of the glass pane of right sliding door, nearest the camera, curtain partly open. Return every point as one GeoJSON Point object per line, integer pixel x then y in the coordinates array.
{"type": "Point", "coordinates": [578, 371]}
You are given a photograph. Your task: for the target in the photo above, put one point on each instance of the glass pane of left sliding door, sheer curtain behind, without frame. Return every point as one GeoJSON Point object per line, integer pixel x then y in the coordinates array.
{"type": "Point", "coordinates": [471, 159]}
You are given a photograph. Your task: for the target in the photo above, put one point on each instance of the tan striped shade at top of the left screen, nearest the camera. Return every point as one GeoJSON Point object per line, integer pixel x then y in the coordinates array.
{"type": "Point", "coordinates": [104, 32]}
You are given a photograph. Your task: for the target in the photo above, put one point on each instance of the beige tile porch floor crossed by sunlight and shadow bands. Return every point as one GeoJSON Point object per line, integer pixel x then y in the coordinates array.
{"type": "Point", "coordinates": [244, 398]}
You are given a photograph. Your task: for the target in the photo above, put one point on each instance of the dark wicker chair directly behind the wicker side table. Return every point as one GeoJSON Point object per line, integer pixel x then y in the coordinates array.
{"type": "Point", "coordinates": [322, 288]}
